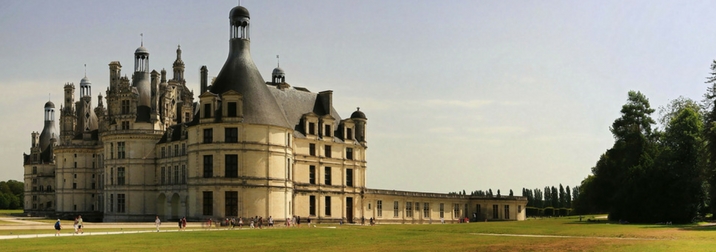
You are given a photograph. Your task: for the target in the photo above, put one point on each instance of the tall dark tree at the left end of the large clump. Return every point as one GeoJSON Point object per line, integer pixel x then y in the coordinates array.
{"type": "Point", "coordinates": [617, 185]}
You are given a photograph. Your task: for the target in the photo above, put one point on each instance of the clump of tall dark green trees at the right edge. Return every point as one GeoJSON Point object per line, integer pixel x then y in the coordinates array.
{"type": "Point", "coordinates": [657, 174]}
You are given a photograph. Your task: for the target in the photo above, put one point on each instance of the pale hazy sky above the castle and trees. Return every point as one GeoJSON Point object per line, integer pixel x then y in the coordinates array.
{"type": "Point", "coordinates": [459, 95]}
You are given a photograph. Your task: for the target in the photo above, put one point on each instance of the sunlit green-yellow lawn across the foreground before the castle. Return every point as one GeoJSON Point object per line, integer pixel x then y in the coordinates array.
{"type": "Point", "coordinates": [449, 237]}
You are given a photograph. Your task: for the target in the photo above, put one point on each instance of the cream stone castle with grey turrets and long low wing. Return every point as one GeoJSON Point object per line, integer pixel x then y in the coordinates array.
{"type": "Point", "coordinates": [246, 147]}
